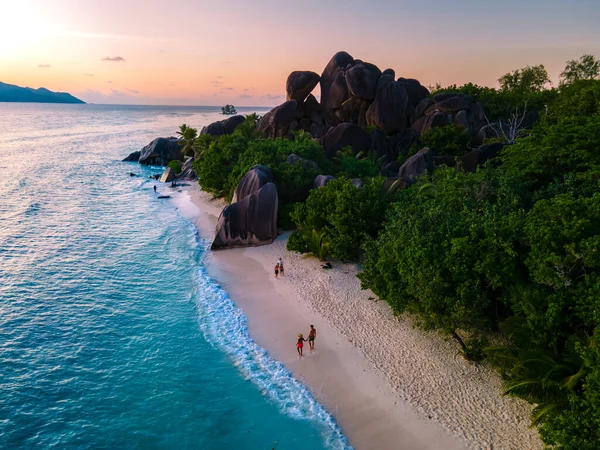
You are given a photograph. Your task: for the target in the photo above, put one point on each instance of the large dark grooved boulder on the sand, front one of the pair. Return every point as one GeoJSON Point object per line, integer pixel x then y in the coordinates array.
{"type": "Point", "coordinates": [250, 221]}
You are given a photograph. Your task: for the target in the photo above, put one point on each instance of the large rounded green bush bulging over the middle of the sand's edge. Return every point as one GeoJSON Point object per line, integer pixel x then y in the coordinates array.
{"type": "Point", "coordinates": [446, 250]}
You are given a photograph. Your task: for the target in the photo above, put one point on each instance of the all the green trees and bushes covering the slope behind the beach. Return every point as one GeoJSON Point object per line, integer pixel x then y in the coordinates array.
{"type": "Point", "coordinates": [511, 250]}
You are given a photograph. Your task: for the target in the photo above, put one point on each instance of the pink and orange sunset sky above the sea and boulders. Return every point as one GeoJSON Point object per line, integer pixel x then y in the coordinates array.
{"type": "Point", "coordinates": [197, 52]}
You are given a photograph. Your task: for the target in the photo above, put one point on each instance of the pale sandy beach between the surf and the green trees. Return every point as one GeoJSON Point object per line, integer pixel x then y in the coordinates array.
{"type": "Point", "coordinates": [388, 384]}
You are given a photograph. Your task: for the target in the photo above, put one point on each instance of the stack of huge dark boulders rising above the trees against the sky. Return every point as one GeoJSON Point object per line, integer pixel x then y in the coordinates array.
{"type": "Point", "coordinates": [359, 93]}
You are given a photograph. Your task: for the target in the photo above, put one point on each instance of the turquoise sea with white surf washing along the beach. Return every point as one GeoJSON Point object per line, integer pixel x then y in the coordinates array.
{"type": "Point", "coordinates": [112, 335]}
